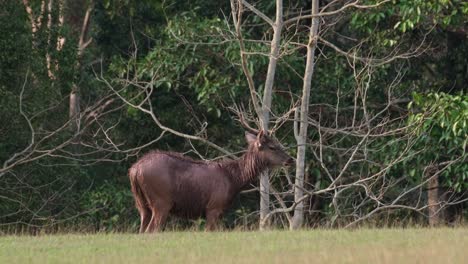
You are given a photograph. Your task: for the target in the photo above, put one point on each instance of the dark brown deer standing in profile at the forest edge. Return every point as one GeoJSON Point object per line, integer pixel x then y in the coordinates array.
{"type": "Point", "coordinates": [165, 183]}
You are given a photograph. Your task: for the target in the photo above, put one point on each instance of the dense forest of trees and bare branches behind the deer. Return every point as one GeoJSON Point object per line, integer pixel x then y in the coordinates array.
{"type": "Point", "coordinates": [369, 96]}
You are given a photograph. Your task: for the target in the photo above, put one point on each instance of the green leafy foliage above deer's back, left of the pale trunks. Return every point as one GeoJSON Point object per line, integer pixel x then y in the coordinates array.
{"type": "Point", "coordinates": [188, 57]}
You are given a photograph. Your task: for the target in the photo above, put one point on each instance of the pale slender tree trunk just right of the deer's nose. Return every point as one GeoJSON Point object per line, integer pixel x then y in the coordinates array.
{"type": "Point", "coordinates": [301, 135]}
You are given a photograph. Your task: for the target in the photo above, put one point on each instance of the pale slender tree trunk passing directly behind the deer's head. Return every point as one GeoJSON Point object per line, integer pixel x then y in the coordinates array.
{"type": "Point", "coordinates": [266, 107]}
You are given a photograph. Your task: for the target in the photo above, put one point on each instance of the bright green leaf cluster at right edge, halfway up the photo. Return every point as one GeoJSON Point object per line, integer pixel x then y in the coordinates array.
{"type": "Point", "coordinates": [442, 127]}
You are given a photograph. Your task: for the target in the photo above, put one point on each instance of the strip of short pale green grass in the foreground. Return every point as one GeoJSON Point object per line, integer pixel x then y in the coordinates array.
{"type": "Point", "coordinates": [314, 246]}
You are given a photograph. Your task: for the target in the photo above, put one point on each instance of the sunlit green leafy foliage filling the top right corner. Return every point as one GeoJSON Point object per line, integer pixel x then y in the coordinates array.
{"type": "Point", "coordinates": [414, 26]}
